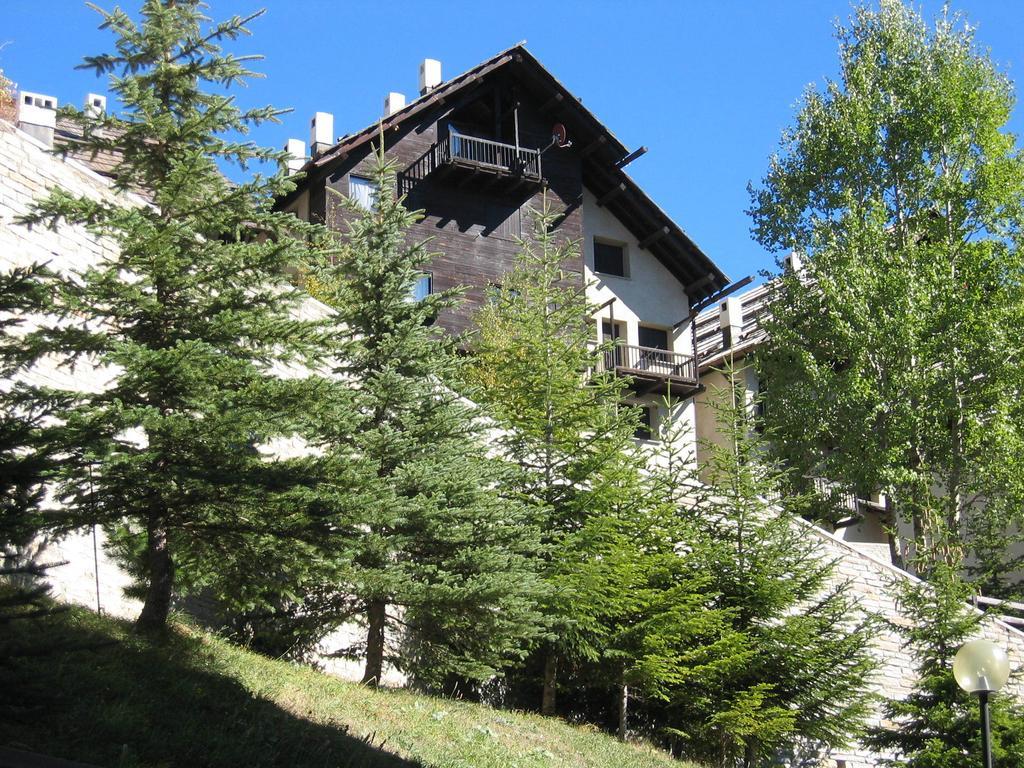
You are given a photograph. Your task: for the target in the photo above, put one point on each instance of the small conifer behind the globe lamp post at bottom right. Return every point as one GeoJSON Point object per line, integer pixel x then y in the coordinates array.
{"type": "Point", "coordinates": [938, 726]}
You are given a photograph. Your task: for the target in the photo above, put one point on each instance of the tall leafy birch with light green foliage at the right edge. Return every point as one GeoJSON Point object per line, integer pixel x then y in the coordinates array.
{"type": "Point", "coordinates": [893, 363]}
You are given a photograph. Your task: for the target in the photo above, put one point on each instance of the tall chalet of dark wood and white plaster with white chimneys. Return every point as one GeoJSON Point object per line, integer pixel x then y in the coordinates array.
{"type": "Point", "coordinates": [477, 153]}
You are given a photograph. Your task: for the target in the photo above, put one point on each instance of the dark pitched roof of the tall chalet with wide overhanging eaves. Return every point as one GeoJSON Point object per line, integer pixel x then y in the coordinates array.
{"type": "Point", "coordinates": [601, 150]}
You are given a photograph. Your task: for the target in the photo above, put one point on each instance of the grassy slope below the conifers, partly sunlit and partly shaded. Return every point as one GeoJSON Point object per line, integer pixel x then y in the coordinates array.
{"type": "Point", "coordinates": [197, 701]}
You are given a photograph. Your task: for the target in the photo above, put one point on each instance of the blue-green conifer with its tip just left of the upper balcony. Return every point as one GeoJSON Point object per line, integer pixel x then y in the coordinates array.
{"type": "Point", "coordinates": [425, 543]}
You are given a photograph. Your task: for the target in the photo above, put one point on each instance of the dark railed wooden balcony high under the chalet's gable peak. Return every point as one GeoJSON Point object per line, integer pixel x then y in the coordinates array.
{"type": "Point", "coordinates": [480, 163]}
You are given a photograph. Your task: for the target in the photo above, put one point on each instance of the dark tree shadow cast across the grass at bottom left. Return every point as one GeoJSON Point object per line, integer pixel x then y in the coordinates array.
{"type": "Point", "coordinates": [167, 704]}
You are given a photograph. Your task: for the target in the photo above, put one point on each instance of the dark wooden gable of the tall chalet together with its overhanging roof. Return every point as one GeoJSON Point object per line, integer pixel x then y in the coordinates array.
{"type": "Point", "coordinates": [474, 211]}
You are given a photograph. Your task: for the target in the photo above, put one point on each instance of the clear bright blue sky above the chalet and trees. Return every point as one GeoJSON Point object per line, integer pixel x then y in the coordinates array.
{"type": "Point", "coordinates": [707, 86]}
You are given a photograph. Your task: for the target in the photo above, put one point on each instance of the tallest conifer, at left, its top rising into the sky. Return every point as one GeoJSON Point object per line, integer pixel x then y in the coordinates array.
{"type": "Point", "coordinates": [191, 318]}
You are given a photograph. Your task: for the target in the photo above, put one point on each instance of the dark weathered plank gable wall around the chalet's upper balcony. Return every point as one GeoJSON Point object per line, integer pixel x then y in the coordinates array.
{"type": "Point", "coordinates": [473, 221]}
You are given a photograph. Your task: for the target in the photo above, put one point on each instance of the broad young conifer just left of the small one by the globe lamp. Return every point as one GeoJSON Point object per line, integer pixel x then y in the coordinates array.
{"type": "Point", "coordinates": [794, 666]}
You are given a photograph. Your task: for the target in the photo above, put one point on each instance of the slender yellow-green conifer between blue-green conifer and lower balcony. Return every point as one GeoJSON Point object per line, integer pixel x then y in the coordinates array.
{"type": "Point", "coordinates": [536, 368]}
